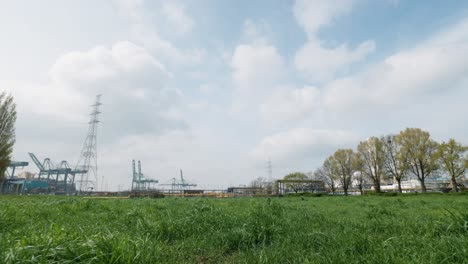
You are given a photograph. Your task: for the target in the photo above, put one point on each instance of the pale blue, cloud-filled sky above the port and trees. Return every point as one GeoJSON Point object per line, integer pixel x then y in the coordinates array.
{"type": "Point", "coordinates": [217, 88]}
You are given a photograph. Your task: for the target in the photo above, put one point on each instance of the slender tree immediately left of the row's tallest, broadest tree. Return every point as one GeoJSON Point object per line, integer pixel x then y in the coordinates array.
{"type": "Point", "coordinates": [395, 162]}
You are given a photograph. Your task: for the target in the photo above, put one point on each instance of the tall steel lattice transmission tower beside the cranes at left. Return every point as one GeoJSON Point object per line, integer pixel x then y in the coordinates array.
{"type": "Point", "coordinates": [88, 157]}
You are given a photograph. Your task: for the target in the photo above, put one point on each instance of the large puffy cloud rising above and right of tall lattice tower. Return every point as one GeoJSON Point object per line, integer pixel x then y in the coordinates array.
{"type": "Point", "coordinates": [129, 78]}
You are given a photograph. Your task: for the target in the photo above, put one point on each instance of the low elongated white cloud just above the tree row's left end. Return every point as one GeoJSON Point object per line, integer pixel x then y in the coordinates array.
{"type": "Point", "coordinates": [302, 143]}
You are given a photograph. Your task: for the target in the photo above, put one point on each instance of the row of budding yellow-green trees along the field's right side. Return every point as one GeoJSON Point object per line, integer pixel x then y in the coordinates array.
{"type": "Point", "coordinates": [411, 152]}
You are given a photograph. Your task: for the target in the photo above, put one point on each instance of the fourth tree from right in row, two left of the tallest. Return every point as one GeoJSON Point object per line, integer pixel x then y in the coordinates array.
{"type": "Point", "coordinates": [372, 155]}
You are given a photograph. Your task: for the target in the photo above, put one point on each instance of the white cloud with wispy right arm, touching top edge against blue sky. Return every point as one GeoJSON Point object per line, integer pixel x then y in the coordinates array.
{"type": "Point", "coordinates": [316, 61]}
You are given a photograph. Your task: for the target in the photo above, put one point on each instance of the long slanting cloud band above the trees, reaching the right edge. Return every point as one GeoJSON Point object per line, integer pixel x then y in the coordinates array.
{"type": "Point", "coordinates": [440, 63]}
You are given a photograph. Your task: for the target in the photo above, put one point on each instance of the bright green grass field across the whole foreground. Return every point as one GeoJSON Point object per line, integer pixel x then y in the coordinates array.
{"type": "Point", "coordinates": [368, 229]}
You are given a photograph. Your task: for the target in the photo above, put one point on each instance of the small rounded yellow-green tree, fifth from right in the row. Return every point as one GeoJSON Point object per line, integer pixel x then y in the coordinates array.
{"type": "Point", "coordinates": [344, 163]}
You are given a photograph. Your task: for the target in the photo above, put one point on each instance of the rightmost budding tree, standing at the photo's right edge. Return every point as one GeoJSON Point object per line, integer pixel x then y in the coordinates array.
{"type": "Point", "coordinates": [453, 159]}
